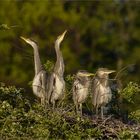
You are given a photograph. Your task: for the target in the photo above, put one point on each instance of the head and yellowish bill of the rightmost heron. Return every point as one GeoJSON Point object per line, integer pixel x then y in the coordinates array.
{"type": "Point", "coordinates": [104, 71]}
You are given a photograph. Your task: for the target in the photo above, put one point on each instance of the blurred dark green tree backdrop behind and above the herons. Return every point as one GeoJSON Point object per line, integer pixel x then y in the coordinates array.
{"type": "Point", "coordinates": [100, 34]}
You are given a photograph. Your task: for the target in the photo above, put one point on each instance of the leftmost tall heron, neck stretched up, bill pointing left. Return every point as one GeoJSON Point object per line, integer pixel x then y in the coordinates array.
{"type": "Point", "coordinates": [39, 84]}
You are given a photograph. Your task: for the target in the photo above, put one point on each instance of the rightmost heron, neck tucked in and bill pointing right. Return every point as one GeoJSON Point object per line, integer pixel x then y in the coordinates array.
{"type": "Point", "coordinates": [101, 91]}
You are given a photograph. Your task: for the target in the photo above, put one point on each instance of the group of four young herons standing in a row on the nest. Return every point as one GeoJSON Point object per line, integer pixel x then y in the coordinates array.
{"type": "Point", "coordinates": [50, 87]}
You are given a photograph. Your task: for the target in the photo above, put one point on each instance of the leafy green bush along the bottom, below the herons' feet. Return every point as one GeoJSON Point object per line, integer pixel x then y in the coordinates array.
{"type": "Point", "coordinates": [21, 119]}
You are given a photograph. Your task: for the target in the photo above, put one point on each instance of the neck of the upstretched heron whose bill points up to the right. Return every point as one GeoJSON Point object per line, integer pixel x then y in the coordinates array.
{"type": "Point", "coordinates": [59, 65]}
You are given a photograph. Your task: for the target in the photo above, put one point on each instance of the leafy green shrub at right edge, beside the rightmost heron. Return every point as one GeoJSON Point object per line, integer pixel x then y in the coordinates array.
{"type": "Point", "coordinates": [130, 100]}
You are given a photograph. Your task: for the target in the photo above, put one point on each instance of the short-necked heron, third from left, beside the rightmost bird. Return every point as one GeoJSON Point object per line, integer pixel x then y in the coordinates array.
{"type": "Point", "coordinates": [80, 89]}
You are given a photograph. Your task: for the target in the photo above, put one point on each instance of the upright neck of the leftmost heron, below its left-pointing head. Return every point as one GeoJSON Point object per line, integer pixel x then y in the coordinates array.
{"type": "Point", "coordinates": [37, 60]}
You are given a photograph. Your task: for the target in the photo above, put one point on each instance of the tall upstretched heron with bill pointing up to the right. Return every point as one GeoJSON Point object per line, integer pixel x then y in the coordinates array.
{"type": "Point", "coordinates": [56, 86]}
